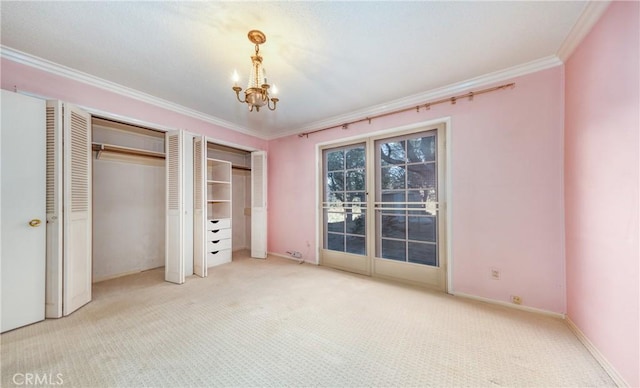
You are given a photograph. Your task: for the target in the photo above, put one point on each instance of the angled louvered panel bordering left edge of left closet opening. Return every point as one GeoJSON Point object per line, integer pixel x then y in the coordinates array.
{"type": "Point", "coordinates": [77, 209]}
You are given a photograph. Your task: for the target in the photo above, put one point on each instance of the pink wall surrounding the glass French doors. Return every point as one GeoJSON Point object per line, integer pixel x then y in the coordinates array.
{"type": "Point", "coordinates": [507, 200]}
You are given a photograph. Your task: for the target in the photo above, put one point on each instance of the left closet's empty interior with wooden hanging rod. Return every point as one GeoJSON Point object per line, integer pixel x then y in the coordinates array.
{"type": "Point", "coordinates": [128, 199]}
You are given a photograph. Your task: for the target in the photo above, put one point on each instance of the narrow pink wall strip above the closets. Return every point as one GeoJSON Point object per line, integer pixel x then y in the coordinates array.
{"type": "Point", "coordinates": [29, 79]}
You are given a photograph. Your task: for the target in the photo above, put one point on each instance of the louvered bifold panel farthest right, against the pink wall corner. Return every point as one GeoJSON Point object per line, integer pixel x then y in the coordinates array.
{"type": "Point", "coordinates": [259, 205]}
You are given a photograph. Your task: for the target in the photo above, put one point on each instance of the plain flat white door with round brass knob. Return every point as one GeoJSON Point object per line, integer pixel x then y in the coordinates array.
{"type": "Point", "coordinates": [22, 158]}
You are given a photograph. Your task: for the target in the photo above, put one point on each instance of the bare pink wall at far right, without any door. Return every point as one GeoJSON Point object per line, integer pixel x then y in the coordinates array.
{"type": "Point", "coordinates": [601, 187]}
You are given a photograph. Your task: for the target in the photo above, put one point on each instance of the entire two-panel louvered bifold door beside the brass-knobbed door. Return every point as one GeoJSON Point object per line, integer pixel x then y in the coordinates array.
{"type": "Point", "coordinates": [69, 209]}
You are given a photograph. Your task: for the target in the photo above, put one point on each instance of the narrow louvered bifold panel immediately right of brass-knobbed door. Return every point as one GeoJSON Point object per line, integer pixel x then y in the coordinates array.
{"type": "Point", "coordinates": [53, 291]}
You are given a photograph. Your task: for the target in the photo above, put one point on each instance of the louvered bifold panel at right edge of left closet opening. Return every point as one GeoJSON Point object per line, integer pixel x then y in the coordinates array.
{"type": "Point", "coordinates": [174, 259]}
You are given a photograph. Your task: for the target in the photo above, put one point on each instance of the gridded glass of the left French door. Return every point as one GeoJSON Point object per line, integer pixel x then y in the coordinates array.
{"type": "Point", "coordinates": [345, 199]}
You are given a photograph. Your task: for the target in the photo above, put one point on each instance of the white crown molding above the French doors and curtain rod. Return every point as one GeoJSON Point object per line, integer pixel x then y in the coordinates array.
{"type": "Point", "coordinates": [434, 94]}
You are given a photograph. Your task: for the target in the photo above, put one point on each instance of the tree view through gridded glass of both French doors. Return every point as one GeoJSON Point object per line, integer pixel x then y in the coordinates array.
{"type": "Point", "coordinates": [406, 188]}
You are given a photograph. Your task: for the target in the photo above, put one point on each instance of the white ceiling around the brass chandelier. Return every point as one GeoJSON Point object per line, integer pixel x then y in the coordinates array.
{"type": "Point", "coordinates": [328, 59]}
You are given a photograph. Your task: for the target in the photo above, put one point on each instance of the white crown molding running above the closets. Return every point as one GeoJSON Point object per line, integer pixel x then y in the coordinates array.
{"type": "Point", "coordinates": [87, 79]}
